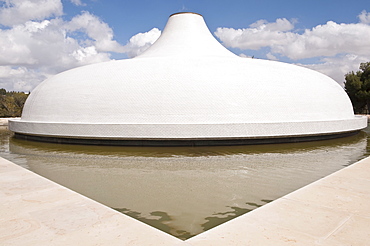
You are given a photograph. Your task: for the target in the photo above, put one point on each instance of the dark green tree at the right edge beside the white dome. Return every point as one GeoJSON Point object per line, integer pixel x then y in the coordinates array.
{"type": "Point", "coordinates": [357, 86]}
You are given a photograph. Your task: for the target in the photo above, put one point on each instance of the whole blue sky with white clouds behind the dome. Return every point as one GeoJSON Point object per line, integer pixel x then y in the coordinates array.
{"type": "Point", "coordinates": [39, 38]}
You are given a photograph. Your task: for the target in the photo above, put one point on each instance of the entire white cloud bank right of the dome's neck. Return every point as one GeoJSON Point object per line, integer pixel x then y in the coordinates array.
{"type": "Point", "coordinates": [340, 47]}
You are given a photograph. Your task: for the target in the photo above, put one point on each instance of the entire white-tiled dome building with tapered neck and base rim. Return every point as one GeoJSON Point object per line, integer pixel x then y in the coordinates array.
{"type": "Point", "coordinates": [187, 87]}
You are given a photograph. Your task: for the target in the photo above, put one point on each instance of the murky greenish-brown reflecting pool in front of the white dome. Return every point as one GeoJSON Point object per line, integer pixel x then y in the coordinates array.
{"type": "Point", "coordinates": [185, 190]}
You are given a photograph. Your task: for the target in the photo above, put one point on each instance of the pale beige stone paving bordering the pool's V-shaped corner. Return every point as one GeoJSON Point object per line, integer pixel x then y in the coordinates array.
{"type": "Point", "coordinates": [332, 211]}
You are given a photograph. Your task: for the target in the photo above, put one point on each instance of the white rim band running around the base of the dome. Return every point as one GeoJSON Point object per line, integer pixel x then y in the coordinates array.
{"type": "Point", "coordinates": [190, 131]}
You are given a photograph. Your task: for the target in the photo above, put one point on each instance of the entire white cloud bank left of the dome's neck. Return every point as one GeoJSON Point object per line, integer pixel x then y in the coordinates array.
{"type": "Point", "coordinates": [33, 50]}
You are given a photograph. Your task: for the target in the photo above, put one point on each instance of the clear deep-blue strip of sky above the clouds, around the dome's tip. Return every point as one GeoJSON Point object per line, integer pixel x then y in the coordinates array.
{"type": "Point", "coordinates": [127, 18]}
